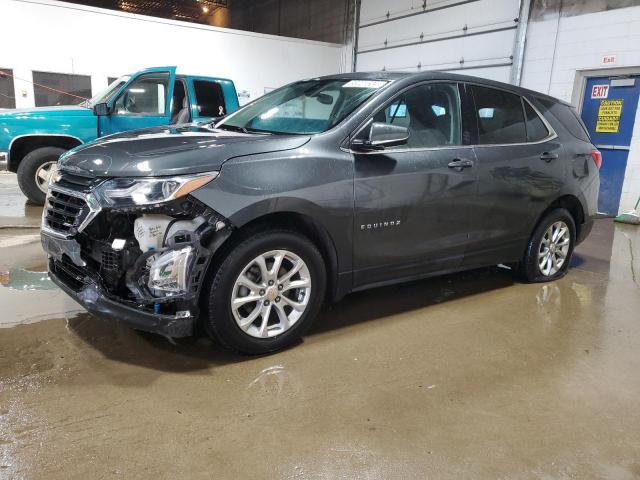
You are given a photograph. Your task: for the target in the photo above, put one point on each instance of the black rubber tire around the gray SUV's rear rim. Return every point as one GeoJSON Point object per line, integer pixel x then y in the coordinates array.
{"type": "Point", "coordinates": [529, 269]}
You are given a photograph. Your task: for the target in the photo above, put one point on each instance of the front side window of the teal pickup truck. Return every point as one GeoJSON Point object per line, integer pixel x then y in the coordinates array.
{"type": "Point", "coordinates": [146, 95]}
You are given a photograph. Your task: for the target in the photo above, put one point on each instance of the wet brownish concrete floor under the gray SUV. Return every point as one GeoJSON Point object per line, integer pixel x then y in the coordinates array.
{"type": "Point", "coordinates": [465, 376]}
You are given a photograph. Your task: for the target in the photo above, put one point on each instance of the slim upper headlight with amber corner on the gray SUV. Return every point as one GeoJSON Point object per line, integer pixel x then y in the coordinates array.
{"type": "Point", "coordinates": [125, 192]}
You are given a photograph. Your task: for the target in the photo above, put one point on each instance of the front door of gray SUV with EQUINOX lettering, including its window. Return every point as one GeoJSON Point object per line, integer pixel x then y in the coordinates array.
{"type": "Point", "coordinates": [412, 202]}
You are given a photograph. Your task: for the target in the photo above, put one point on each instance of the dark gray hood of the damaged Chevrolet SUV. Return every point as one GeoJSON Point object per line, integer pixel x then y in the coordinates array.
{"type": "Point", "coordinates": [166, 150]}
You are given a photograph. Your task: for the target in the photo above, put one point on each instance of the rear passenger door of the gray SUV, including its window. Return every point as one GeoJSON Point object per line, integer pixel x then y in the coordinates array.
{"type": "Point", "coordinates": [519, 173]}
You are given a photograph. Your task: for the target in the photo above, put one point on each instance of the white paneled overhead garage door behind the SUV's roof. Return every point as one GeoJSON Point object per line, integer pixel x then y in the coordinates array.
{"type": "Point", "coordinates": [477, 50]}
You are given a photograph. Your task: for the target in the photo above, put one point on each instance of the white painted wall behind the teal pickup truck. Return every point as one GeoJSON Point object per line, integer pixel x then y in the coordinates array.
{"type": "Point", "coordinates": [53, 36]}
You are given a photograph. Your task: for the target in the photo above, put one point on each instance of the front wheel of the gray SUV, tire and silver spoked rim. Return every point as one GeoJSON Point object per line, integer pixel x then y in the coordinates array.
{"type": "Point", "coordinates": [223, 322]}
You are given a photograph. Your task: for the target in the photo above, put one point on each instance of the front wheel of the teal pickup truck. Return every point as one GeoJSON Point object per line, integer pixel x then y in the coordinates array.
{"type": "Point", "coordinates": [35, 170]}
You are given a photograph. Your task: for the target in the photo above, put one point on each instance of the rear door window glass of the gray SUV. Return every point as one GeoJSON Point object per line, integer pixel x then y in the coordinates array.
{"type": "Point", "coordinates": [500, 116]}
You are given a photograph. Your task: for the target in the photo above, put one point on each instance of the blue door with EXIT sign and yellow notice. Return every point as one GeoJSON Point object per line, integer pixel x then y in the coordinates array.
{"type": "Point", "coordinates": [608, 111]}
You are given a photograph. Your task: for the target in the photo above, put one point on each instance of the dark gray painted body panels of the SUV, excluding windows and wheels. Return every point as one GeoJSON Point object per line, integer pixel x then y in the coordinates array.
{"type": "Point", "coordinates": [449, 219]}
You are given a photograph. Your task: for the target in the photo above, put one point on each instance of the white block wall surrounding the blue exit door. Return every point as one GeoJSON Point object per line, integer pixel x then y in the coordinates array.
{"type": "Point", "coordinates": [561, 51]}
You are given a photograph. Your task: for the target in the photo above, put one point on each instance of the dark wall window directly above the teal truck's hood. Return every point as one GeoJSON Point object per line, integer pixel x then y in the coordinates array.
{"type": "Point", "coordinates": [52, 89]}
